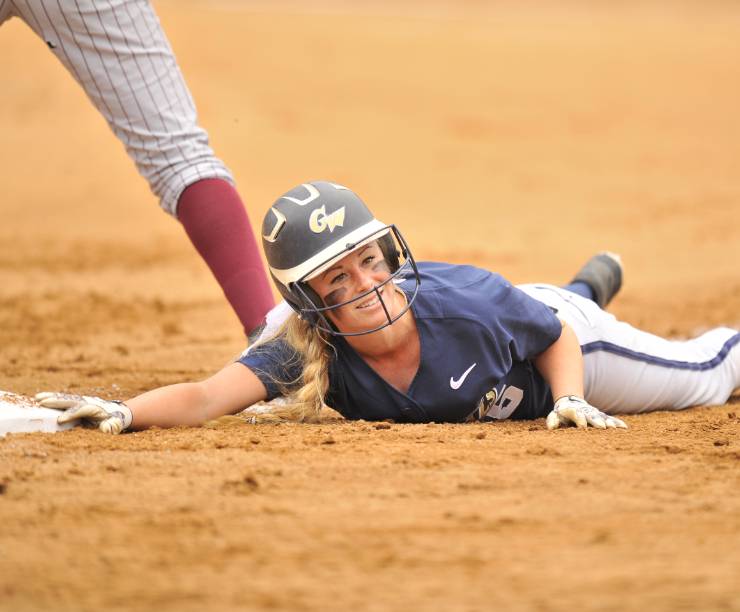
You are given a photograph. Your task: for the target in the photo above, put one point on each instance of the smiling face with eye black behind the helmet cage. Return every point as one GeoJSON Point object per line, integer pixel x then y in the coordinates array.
{"type": "Point", "coordinates": [355, 274]}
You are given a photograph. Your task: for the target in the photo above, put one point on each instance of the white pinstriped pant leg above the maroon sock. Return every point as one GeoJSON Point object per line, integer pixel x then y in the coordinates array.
{"type": "Point", "coordinates": [119, 54]}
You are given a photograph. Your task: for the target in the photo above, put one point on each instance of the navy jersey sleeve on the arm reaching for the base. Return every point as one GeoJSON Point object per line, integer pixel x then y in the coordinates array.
{"type": "Point", "coordinates": [278, 366]}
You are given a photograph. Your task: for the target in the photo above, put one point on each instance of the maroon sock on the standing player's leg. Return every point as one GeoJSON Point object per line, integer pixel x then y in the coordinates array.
{"type": "Point", "coordinates": [216, 222]}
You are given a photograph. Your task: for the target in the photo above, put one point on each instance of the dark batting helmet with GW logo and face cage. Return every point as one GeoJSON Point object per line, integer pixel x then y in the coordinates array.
{"type": "Point", "coordinates": [309, 229]}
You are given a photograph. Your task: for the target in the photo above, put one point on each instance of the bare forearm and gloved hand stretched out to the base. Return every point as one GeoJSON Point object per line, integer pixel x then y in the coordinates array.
{"type": "Point", "coordinates": [230, 390]}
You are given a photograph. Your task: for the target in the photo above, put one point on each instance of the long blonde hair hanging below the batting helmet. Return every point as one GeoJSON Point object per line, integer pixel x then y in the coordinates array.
{"type": "Point", "coordinates": [313, 350]}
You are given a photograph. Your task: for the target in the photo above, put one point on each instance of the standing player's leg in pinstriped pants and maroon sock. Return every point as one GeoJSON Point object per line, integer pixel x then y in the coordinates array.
{"type": "Point", "coordinates": [118, 53]}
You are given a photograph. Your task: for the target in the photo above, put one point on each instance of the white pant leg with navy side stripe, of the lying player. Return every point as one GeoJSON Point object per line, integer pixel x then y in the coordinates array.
{"type": "Point", "coordinates": [627, 370]}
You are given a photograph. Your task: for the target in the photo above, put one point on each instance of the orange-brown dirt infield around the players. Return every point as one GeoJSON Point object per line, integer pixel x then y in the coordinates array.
{"type": "Point", "coordinates": [519, 140]}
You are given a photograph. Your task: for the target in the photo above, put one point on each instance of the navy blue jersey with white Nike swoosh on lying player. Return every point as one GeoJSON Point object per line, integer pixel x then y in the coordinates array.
{"type": "Point", "coordinates": [478, 335]}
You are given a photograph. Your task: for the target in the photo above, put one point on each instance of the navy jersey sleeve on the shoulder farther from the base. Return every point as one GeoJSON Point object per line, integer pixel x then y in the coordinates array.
{"type": "Point", "coordinates": [528, 326]}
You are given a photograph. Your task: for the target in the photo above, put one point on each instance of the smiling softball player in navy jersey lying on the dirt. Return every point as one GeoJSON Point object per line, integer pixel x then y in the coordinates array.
{"type": "Point", "coordinates": [376, 336]}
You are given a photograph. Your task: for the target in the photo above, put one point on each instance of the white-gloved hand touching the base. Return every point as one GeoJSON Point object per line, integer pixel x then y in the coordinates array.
{"type": "Point", "coordinates": [109, 417]}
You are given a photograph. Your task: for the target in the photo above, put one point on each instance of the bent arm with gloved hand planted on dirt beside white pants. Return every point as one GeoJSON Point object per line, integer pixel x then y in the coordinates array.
{"type": "Point", "coordinates": [561, 365]}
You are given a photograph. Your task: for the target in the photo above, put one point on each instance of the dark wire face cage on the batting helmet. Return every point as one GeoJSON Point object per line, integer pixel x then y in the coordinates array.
{"type": "Point", "coordinates": [311, 311]}
